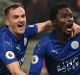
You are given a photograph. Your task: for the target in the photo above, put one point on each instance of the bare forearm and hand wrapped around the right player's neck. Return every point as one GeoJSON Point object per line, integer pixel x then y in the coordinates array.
{"type": "Point", "coordinates": [47, 25]}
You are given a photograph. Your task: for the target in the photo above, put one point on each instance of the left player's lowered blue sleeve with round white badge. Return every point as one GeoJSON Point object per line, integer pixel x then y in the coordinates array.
{"type": "Point", "coordinates": [7, 56]}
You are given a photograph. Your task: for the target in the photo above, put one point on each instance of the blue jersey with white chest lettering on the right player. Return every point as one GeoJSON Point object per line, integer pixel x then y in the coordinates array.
{"type": "Point", "coordinates": [60, 58]}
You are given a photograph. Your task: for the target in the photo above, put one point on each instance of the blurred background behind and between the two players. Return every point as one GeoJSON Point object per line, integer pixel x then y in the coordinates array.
{"type": "Point", "coordinates": [38, 11]}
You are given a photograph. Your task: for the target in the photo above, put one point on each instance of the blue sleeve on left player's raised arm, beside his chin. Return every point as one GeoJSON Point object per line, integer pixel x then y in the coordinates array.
{"type": "Point", "coordinates": [31, 30]}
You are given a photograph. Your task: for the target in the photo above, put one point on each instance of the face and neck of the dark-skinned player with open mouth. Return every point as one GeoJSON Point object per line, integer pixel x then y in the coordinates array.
{"type": "Point", "coordinates": [63, 24]}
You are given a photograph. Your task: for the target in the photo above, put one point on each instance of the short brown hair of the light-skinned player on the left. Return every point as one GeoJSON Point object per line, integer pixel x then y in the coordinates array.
{"type": "Point", "coordinates": [12, 6]}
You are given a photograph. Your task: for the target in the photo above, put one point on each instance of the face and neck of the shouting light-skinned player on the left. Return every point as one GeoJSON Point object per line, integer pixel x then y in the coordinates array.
{"type": "Point", "coordinates": [16, 21]}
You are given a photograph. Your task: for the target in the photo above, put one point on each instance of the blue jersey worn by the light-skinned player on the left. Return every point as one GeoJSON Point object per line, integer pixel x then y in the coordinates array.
{"type": "Point", "coordinates": [13, 49]}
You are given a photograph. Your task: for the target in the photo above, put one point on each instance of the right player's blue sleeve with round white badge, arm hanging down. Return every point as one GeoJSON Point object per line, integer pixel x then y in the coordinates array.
{"type": "Point", "coordinates": [37, 60]}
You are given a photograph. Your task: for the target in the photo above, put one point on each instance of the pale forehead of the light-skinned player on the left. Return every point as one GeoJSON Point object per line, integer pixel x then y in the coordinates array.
{"type": "Point", "coordinates": [17, 11]}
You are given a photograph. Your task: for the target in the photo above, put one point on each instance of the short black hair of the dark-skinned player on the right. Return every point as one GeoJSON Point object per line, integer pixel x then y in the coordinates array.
{"type": "Point", "coordinates": [54, 10]}
